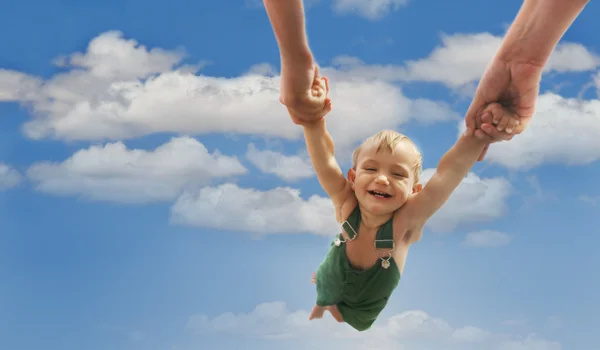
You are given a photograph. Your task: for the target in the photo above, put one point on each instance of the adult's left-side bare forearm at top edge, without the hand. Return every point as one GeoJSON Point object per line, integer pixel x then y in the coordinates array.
{"type": "Point", "coordinates": [287, 20]}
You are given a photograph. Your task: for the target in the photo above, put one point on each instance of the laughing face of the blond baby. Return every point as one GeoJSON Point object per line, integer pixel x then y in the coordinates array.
{"type": "Point", "coordinates": [385, 172]}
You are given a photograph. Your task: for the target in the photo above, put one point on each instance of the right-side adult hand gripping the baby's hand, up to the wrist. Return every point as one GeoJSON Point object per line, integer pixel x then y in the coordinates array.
{"type": "Point", "coordinates": [514, 85]}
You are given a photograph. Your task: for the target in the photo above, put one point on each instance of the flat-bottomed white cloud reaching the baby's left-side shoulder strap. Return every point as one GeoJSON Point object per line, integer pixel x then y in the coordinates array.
{"type": "Point", "coordinates": [276, 211]}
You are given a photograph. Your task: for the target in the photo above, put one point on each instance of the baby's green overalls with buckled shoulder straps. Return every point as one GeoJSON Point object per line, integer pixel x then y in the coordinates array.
{"type": "Point", "coordinates": [360, 295]}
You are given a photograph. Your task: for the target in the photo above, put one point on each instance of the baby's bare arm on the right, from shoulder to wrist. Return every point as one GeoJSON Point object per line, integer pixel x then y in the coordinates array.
{"type": "Point", "coordinates": [451, 170]}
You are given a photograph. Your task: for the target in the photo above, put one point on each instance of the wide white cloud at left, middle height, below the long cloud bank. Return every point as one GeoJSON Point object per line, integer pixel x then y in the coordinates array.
{"type": "Point", "coordinates": [114, 173]}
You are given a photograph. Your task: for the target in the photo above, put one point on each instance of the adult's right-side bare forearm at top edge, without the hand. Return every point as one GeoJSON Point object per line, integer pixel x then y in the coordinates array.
{"type": "Point", "coordinates": [537, 29]}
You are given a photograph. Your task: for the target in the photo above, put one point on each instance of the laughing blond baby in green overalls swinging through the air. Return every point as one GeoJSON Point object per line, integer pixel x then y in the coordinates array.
{"type": "Point", "coordinates": [382, 208]}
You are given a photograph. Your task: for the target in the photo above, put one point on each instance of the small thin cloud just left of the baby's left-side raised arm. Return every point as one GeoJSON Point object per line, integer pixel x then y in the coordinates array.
{"type": "Point", "coordinates": [289, 168]}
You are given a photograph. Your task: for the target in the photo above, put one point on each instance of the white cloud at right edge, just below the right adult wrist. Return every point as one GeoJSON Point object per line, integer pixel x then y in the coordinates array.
{"type": "Point", "coordinates": [563, 131]}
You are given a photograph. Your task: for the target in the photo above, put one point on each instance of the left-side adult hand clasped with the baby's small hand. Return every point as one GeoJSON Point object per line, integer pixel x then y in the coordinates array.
{"type": "Point", "coordinates": [305, 94]}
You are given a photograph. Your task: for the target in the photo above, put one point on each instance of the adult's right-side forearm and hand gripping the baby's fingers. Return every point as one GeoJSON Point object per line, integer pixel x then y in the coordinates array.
{"type": "Point", "coordinates": [513, 77]}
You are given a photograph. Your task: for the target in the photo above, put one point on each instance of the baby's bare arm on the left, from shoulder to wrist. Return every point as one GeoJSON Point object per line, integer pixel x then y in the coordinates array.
{"type": "Point", "coordinates": [321, 150]}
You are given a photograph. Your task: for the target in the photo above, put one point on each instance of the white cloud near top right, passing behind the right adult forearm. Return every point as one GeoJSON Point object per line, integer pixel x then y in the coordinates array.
{"type": "Point", "coordinates": [460, 60]}
